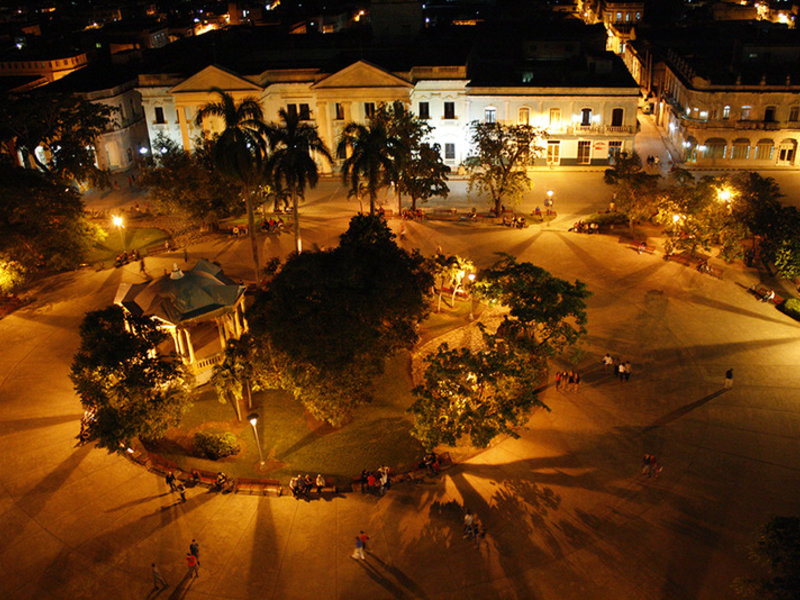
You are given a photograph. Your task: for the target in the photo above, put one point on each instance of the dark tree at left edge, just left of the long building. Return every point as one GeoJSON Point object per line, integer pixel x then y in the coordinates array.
{"type": "Point", "coordinates": [64, 128]}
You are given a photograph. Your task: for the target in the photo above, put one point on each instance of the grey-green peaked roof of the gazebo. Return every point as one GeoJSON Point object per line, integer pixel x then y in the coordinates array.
{"type": "Point", "coordinates": [203, 291]}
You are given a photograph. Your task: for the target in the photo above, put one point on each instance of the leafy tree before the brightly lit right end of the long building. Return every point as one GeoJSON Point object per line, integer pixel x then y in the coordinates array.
{"type": "Point", "coordinates": [498, 163]}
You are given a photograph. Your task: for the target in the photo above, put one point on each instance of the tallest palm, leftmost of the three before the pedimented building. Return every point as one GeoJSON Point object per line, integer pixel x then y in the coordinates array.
{"type": "Point", "coordinates": [240, 150]}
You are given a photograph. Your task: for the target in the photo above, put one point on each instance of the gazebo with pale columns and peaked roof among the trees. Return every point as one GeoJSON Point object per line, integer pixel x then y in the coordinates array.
{"type": "Point", "coordinates": [191, 302]}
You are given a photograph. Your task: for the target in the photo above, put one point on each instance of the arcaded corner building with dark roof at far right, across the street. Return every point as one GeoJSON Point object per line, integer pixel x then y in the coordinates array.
{"type": "Point", "coordinates": [725, 94]}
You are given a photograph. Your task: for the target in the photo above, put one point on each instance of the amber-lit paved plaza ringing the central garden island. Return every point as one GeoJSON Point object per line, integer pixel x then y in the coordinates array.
{"type": "Point", "coordinates": [567, 515]}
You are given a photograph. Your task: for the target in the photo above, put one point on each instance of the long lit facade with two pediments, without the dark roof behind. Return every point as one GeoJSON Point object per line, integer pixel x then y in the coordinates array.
{"type": "Point", "coordinates": [586, 123]}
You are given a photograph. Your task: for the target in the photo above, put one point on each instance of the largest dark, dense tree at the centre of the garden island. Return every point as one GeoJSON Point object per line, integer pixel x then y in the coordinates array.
{"type": "Point", "coordinates": [336, 315]}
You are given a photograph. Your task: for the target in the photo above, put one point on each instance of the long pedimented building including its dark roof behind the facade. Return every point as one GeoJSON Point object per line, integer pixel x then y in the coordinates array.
{"type": "Point", "coordinates": [584, 97]}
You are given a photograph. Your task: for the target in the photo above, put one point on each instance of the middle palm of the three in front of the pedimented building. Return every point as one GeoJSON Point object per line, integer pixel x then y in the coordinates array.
{"type": "Point", "coordinates": [291, 165]}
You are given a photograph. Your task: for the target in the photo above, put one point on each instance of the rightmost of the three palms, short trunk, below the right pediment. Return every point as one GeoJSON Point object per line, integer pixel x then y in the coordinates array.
{"type": "Point", "coordinates": [371, 157]}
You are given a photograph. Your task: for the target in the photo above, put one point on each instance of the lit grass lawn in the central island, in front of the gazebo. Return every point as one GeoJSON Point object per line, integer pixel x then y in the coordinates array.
{"type": "Point", "coordinates": [293, 442]}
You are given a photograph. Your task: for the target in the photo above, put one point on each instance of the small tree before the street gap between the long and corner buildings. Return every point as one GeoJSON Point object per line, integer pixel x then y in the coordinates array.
{"type": "Point", "coordinates": [636, 190]}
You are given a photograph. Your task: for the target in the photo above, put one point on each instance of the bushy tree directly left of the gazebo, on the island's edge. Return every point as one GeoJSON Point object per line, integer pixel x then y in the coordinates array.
{"type": "Point", "coordinates": [131, 390]}
